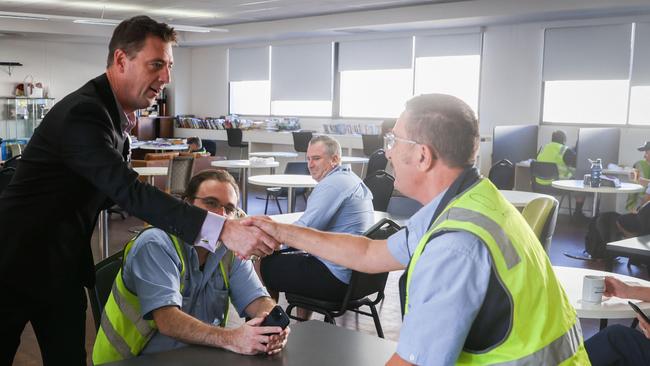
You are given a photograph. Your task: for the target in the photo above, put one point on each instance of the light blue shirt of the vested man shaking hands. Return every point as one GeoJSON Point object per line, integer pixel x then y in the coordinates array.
{"type": "Point", "coordinates": [448, 286]}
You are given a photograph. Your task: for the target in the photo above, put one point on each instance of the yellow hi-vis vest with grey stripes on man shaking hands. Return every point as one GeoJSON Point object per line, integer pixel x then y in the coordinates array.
{"type": "Point", "coordinates": [543, 328]}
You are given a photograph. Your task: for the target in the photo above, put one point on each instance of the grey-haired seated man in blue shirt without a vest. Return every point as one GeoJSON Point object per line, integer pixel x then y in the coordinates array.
{"type": "Point", "coordinates": [340, 203]}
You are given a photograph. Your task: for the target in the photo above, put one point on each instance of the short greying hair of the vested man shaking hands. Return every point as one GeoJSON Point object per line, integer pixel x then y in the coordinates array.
{"type": "Point", "coordinates": [446, 124]}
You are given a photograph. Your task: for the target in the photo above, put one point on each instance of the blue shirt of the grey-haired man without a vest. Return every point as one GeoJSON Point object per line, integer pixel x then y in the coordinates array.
{"type": "Point", "coordinates": [340, 203]}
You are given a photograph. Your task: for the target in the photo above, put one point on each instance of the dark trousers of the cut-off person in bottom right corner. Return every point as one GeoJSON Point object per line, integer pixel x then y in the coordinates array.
{"type": "Point", "coordinates": [618, 345]}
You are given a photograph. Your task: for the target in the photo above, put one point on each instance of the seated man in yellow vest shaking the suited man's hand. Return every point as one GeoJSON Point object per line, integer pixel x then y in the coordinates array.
{"type": "Point", "coordinates": [477, 288]}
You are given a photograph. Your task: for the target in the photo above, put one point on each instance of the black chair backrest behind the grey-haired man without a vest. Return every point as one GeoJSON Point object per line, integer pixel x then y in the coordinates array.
{"type": "Point", "coordinates": [364, 284]}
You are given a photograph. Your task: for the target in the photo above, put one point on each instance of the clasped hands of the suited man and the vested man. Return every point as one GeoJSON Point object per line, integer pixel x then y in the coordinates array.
{"type": "Point", "coordinates": [252, 237]}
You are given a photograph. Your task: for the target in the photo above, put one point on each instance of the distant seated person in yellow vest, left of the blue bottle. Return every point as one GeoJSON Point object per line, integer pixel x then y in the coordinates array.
{"type": "Point", "coordinates": [565, 158]}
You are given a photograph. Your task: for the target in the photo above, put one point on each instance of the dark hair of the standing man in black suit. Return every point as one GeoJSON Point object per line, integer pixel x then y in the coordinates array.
{"type": "Point", "coordinates": [131, 34]}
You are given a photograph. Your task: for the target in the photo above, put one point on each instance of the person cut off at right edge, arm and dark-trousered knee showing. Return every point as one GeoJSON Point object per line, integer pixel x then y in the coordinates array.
{"type": "Point", "coordinates": [619, 344]}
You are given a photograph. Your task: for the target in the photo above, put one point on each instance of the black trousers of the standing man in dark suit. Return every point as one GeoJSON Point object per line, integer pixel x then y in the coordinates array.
{"type": "Point", "coordinates": [60, 328]}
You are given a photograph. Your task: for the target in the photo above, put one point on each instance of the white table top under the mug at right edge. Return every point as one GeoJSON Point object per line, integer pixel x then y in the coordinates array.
{"type": "Point", "coordinates": [612, 308]}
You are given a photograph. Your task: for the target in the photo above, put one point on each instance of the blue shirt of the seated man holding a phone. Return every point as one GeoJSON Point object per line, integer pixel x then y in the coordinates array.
{"type": "Point", "coordinates": [152, 270]}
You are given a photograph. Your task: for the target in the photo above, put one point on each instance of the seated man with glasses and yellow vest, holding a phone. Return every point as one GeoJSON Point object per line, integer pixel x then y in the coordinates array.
{"type": "Point", "coordinates": [169, 293]}
